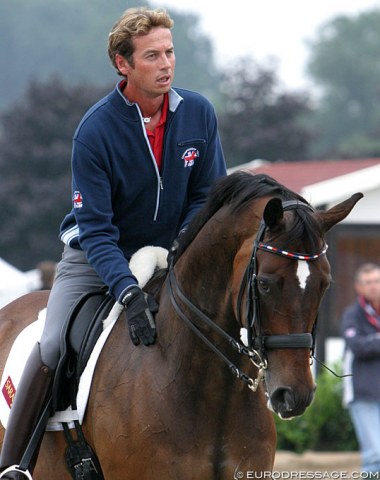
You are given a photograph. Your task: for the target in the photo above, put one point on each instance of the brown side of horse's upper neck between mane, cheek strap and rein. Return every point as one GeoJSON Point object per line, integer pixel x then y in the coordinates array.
{"type": "Point", "coordinates": [212, 267]}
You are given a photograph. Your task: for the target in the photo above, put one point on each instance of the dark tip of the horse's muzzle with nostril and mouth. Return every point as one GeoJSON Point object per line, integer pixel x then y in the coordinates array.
{"type": "Point", "coordinates": [287, 402]}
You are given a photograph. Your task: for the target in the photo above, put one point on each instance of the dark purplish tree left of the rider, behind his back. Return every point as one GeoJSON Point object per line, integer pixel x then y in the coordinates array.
{"type": "Point", "coordinates": [35, 181]}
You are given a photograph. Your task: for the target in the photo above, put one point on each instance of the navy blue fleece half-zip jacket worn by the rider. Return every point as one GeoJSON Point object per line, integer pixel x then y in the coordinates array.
{"type": "Point", "coordinates": [121, 202]}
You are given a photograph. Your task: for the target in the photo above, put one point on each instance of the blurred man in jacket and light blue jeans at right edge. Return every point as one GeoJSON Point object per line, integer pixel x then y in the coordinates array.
{"type": "Point", "coordinates": [361, 331]}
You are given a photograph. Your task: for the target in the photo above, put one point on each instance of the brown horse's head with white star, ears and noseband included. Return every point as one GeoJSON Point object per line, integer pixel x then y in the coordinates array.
{"type": "Point", "coordinates": [287, 276]}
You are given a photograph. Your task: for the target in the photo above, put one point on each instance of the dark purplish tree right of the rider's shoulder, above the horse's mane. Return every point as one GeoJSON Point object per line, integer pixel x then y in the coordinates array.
{"type": "Point", "coordinates": [259, 119]}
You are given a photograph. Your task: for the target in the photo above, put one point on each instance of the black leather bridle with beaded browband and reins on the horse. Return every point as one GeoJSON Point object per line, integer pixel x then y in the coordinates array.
{"type": "Point", "coordinates": [257, 344]}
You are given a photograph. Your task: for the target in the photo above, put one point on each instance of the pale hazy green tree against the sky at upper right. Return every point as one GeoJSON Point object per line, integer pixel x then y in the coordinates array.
{"type": "Point", "coordinates": [345, 64]}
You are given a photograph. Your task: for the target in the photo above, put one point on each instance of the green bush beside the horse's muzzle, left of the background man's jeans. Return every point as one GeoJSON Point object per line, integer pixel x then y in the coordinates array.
{"type": "Point", "coordinates": [326, 424]}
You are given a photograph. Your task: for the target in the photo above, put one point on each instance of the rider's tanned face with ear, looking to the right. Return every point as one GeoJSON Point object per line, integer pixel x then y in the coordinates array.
{"type": "Point", "coordinates": [152, 72]}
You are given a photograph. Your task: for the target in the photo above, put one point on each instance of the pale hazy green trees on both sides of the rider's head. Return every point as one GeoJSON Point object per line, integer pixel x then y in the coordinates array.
{"type": "Point", "coordinates": [69, 38]}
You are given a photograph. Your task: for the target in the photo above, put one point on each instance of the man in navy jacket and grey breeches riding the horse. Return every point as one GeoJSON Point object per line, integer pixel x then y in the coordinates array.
{"type": "Point", "coordinates": [144, 158]}
